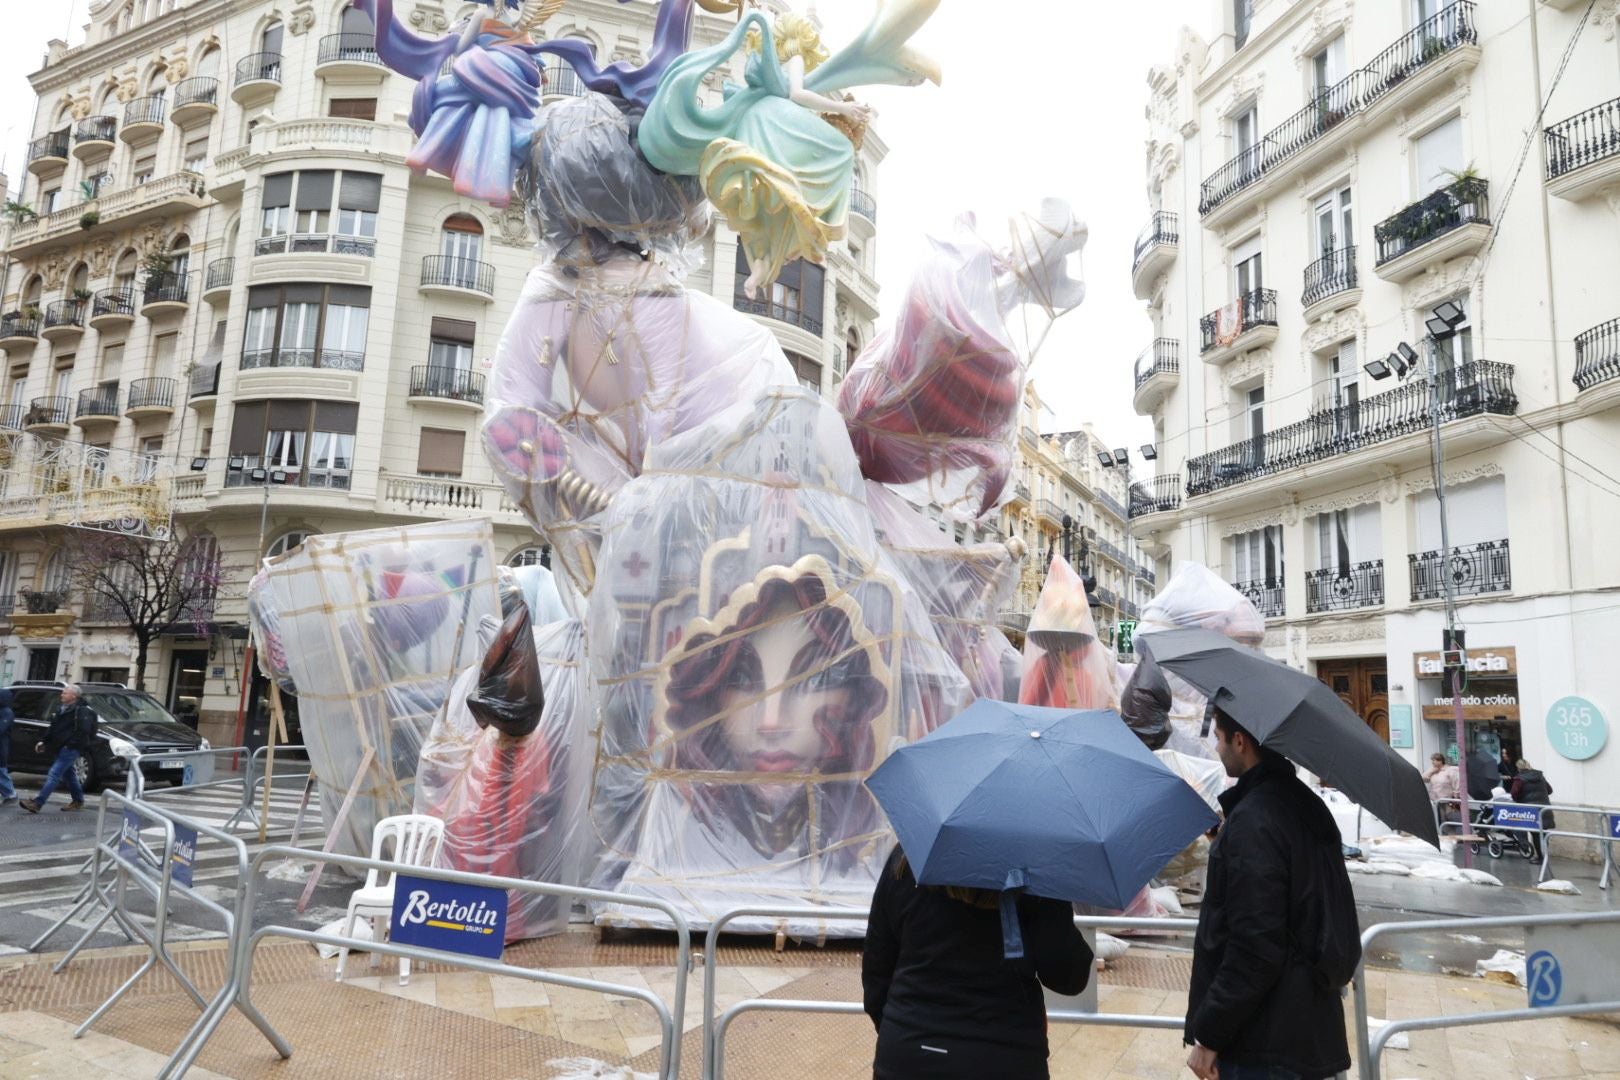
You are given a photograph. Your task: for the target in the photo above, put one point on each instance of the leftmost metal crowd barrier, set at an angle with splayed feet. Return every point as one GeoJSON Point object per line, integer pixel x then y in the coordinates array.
{"type": "Point", "coordinates": [153, 874]}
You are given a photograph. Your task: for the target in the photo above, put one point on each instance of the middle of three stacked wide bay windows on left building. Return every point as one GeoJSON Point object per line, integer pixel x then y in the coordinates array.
{"type": "Point", "coordinates": [286, 323]}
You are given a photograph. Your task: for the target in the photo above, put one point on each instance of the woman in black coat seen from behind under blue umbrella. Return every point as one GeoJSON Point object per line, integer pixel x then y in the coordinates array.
{"type": "Point", "coordinates": [945, 1001]}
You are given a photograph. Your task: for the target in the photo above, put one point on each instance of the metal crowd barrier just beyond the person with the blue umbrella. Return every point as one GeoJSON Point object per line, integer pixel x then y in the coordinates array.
{"type": "Point", "coordinates": [715, 1027]}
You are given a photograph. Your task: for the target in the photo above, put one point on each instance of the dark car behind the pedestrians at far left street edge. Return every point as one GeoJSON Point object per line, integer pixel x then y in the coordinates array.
{"type": "Point", "coordinates": [132, 716]}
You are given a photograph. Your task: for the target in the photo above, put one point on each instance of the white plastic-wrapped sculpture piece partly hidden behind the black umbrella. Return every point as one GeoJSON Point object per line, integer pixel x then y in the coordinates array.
{"type": "Point", "coordinates": [1195, 597]}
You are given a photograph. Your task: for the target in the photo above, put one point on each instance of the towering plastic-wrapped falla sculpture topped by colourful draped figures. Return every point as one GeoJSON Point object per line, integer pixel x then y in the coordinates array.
{"type": "Point", "coordinates": [752, 603]}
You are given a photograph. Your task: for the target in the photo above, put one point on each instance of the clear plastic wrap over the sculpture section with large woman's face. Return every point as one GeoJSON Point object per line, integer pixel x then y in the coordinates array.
{"type": "Point", "coordinates": [756, 657]}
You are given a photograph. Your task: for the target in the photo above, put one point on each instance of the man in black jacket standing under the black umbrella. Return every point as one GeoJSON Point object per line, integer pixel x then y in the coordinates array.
{"type": "Point", "coordinates": [1258, 1006]}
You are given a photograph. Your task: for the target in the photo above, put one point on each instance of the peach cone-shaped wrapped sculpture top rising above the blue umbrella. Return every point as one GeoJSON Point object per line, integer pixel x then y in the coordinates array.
{"type": "Point", "coordinates": [1065, 665]}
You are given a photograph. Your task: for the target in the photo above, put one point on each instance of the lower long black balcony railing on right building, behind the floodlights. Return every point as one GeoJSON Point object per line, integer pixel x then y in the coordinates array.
{"type": "Point", "coordinates": [1470, 391]}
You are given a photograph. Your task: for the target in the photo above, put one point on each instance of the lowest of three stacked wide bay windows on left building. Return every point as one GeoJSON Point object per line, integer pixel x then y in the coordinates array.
{"type": "Point", "coordinates": [310, 443]}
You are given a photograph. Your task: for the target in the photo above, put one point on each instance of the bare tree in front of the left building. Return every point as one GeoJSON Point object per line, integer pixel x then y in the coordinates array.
{"type": "Point", "coordinates": [150, 587]}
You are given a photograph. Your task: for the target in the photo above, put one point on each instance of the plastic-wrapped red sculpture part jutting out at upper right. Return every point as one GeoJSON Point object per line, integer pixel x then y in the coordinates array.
{"type": "Point", "coordinates": [934, 401]}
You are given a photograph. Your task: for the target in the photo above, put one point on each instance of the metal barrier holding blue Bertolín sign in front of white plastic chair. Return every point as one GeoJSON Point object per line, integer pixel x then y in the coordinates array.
{"type": "Point", "coordinates": [239, 985]}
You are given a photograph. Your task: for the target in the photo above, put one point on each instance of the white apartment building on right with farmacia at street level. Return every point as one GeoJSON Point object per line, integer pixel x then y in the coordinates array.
{"type": "Point", "coordinates": [1336, 182]}
